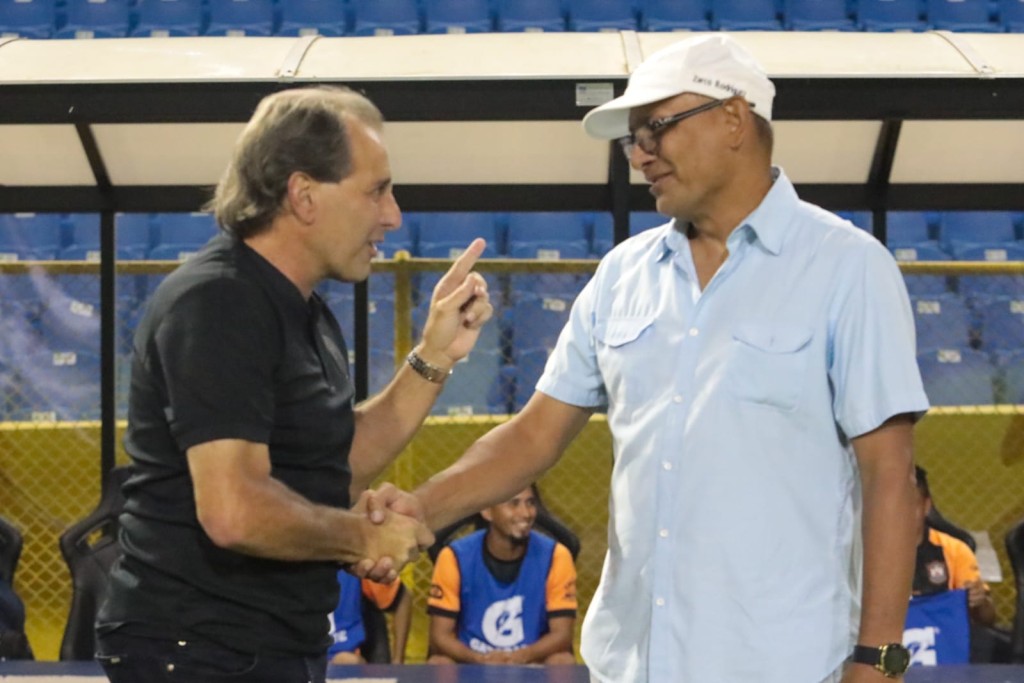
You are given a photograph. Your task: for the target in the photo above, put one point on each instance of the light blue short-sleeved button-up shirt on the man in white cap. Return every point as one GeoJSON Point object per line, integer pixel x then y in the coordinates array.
{"type": "Point", "coordinates": [734, 541]}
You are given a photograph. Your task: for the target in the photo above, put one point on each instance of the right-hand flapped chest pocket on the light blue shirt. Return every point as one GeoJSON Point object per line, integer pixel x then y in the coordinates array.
{"type": "Point", "coordinates": [770, 364]}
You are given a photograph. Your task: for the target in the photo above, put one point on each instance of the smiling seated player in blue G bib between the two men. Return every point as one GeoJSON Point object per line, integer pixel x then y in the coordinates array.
{"type": "Point", "coordinates": [505, 594]}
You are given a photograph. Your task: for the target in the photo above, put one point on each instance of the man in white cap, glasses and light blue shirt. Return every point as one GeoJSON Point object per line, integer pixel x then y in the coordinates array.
{"type": "Point", "coordinates": [757, 359]}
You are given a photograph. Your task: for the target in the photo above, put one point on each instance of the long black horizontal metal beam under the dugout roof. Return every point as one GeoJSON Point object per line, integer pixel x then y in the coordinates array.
{"type": "Point", "coordinates": [538, 100]}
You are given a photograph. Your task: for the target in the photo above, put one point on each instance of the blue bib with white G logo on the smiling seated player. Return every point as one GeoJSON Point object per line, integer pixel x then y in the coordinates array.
{"type": "Point", "coordinates": [502, 617]}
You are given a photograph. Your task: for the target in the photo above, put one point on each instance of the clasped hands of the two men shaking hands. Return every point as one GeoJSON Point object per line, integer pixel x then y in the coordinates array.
{"type": "Point", "coordinates": [394, 534]}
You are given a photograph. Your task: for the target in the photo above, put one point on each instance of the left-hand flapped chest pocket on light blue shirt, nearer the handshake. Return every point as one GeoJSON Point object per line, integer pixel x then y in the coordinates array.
{"type": "Point", "coordinates": [624, 348]}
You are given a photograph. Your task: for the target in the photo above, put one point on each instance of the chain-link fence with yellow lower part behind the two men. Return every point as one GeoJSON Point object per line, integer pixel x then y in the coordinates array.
{"type": "Point", "coordinates": [972, 444]}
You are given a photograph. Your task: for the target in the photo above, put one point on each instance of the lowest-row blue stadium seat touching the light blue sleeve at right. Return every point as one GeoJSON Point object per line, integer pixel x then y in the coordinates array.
{"type": "Point", "coordinates": [958, 377]}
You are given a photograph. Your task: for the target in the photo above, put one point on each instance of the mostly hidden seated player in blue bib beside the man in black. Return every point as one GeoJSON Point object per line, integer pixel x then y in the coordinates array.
{"type": "Point", "coordinates": [348, 629]}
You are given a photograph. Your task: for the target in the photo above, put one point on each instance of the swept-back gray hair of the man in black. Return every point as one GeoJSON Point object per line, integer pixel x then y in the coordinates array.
{"type": "Point", "coordinates": [302, 131]}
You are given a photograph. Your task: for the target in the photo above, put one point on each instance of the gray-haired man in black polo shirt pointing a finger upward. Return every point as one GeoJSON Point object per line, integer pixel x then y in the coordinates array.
{"type": "Point", "coordinates": [246, 443]}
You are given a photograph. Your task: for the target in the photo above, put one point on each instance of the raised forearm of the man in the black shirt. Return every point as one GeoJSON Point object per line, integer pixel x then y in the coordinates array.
{"type": "Point", "coordinates": [387, 423]}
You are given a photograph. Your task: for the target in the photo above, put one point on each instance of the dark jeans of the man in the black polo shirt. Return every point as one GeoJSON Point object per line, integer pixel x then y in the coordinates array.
{"type": "Point", "coordinates": [130, 659]}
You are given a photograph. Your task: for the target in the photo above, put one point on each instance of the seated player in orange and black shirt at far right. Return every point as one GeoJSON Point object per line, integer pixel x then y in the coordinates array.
{"type": "Point", "coordinates": [946, 564]}
